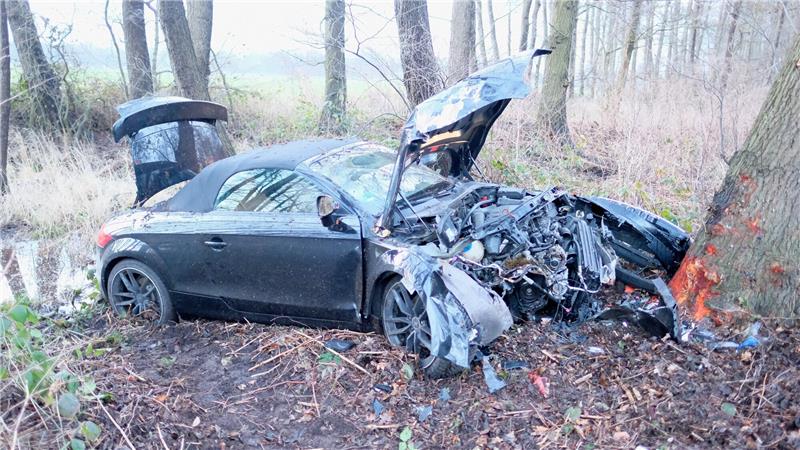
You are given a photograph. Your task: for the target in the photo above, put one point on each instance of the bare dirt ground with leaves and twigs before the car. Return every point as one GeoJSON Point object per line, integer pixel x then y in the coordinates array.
{"type": "Point", "coordinates": [203, 384]}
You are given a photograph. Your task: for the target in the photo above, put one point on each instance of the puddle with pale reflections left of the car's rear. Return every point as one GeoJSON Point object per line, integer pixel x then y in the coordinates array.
{"type": "Point", "coordinates": [43, 271]}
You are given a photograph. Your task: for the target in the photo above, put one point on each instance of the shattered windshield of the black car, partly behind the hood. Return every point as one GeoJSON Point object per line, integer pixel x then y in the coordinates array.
{"type": "Point", "coordinates": [365, 171]}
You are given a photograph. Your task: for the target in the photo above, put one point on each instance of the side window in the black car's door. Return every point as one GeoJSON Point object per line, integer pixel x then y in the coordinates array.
{"type": "Point", "coordinates": [268, 190]}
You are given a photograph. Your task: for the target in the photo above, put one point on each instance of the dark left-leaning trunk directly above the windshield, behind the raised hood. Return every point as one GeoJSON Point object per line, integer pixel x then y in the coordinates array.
{"type": "Point", "coordinates": [421, 74]}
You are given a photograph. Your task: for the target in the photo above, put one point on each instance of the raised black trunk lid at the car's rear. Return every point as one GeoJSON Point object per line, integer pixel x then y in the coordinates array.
{"type": "Point", "coordinates": [171, 139]}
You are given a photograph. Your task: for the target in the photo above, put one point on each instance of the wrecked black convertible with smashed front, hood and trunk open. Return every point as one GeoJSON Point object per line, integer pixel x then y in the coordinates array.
{"type": "Point", "coordinates": [347, 233]}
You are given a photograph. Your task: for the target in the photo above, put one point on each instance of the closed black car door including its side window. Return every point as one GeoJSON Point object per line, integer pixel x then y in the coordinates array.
{"type": "Point", "coordinates": [268, 254]}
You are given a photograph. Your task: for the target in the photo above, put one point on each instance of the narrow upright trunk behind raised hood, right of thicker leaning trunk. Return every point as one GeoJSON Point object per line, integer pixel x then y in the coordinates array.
{"type": "Point", "coordinates": [462, 41]}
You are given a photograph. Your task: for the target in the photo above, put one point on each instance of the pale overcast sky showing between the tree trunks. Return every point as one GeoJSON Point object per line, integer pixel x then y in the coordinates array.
{"type": "Point", "coordinates": [257, 27]}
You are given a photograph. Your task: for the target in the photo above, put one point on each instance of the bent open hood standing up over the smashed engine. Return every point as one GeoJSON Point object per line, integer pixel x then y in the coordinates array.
{"type": "Point", "coordinates": [458, 119]}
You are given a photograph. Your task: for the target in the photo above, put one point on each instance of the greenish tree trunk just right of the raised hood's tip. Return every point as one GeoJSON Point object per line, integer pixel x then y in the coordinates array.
{"type": "Point", "coordinates": [552, 112]}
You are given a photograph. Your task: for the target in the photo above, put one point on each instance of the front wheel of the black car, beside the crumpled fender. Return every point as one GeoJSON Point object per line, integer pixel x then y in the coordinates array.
{"type": "Point", "coordinates": [403, 317]}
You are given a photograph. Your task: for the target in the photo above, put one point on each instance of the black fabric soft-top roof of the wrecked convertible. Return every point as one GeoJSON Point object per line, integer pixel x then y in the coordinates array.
{"type": "Point", "coordinates": [199, 194]}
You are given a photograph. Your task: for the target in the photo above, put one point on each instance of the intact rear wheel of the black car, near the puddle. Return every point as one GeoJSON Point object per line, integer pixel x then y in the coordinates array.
{"type": "Point", "coordinates": [134, 289]}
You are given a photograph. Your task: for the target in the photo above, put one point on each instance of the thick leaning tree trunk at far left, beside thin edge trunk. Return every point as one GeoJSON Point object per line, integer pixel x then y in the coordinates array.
{"type": "Point", "coordinates": [44, 85]}
